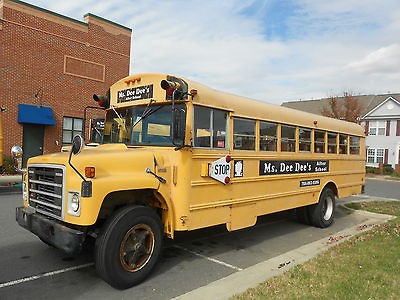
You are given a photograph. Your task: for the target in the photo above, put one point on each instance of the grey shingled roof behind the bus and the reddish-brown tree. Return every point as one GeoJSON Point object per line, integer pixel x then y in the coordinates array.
{"type": "Point", "coordinates": [366, 102]}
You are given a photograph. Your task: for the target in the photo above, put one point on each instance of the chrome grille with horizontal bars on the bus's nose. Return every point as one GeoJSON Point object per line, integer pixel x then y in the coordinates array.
{"type": "Point", "coordinates": [46, 191]}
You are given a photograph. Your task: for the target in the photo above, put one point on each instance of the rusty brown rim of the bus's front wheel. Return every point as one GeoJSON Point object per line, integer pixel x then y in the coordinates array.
{"type": "Point", "coordinates": [137, 247]}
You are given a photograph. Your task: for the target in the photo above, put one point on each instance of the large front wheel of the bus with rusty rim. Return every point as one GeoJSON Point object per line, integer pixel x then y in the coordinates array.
{"type": "Point", "coordinates": [129, 246]}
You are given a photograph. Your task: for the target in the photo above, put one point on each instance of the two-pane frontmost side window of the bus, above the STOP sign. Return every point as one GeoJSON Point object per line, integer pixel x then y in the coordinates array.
{"type": "Point", "coordinates": [210, 128]}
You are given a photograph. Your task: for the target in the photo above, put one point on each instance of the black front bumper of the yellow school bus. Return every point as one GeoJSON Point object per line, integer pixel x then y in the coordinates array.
{"type": "Point", "coordinates": [60, 236]}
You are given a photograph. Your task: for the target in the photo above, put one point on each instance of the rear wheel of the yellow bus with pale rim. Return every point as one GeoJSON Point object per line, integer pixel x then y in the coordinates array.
{"type": "Point", "coordinates": [322, 213]}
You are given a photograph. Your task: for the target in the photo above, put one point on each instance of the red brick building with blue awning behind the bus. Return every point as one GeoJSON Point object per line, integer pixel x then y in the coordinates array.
{"type": "Point", "coordinates": [50, 67]}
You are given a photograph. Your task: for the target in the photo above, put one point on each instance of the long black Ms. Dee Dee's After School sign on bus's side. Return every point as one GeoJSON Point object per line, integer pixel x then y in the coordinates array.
{"type": "Point", "coordinates": [278, 167]}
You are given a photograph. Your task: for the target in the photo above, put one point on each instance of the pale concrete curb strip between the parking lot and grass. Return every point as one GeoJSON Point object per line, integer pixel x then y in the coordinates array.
{"type": "Point", "coordinates": [240, 281]}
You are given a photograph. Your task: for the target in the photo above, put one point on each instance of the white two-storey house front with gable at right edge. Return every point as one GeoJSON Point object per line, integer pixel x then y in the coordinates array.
{"type": "Point", "coordinates": [382, 129]}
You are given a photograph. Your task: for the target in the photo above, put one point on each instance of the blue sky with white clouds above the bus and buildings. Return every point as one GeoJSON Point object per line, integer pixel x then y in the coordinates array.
{"type": "Point", "coordinates": [270, 50]}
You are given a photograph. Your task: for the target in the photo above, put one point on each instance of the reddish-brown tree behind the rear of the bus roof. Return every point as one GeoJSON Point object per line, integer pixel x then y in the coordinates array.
{"type": "Point", "coordinates": [344, 108]}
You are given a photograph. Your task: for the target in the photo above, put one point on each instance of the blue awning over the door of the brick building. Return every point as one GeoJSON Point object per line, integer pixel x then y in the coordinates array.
{"type": "Point", "coordinates": [35, 114]}
